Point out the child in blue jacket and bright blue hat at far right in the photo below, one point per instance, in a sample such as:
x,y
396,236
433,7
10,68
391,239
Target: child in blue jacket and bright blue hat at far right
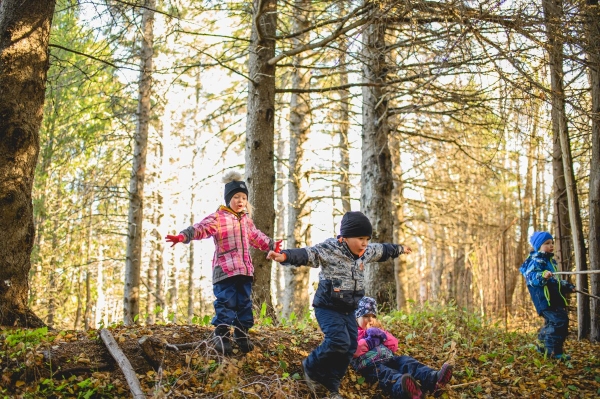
x,y
548,294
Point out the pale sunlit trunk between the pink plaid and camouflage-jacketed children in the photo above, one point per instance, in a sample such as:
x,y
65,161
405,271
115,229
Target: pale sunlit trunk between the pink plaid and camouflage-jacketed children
x,y
295,298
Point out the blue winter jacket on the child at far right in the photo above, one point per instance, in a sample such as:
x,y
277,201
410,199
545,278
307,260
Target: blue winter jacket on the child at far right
x,y
545,293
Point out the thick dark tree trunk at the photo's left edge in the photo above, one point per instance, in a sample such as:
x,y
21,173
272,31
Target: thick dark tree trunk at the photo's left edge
x,y
24,35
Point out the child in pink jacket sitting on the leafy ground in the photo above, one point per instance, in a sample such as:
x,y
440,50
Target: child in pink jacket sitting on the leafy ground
x,y
398,376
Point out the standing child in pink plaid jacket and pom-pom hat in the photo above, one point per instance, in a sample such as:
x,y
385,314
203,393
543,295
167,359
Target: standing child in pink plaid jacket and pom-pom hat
x,y
234,233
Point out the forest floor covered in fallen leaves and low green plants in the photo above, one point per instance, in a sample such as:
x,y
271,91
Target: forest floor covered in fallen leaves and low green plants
x,y
491,361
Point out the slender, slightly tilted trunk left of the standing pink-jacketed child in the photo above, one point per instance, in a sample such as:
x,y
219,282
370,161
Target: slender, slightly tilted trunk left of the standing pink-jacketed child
x,y
133,260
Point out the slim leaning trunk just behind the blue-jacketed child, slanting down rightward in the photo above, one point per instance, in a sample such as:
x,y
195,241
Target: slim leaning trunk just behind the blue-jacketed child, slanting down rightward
x,y
553,16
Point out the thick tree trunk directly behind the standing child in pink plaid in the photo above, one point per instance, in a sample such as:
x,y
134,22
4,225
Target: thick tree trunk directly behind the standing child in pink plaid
x,y
260,133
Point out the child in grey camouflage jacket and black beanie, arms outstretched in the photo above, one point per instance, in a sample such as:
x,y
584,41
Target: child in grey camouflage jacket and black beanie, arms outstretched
x,y
341,287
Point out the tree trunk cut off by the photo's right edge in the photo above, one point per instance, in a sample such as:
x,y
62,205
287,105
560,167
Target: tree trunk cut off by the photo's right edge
x,y
593,41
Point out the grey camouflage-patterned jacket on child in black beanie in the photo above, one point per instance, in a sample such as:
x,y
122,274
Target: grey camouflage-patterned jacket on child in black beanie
x,y
341,280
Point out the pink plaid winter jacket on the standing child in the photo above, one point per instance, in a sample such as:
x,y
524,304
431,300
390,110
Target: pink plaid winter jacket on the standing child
x,y
233,235
